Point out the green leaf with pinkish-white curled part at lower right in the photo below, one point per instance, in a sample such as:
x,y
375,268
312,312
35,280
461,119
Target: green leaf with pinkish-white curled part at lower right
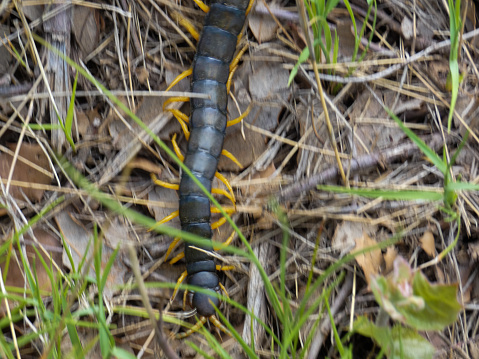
x,y
407,296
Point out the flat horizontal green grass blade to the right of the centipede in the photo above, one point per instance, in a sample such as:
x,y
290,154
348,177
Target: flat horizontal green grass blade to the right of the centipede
x,y
406,195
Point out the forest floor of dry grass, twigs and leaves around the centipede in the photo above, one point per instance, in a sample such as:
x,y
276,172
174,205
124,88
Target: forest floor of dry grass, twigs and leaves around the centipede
x,y
76,198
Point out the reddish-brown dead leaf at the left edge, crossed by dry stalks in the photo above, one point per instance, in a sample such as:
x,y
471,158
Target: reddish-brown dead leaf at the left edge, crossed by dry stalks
x,y
32,167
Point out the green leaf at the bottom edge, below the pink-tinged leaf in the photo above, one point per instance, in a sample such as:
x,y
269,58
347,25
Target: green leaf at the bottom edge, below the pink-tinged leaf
x,y
397,342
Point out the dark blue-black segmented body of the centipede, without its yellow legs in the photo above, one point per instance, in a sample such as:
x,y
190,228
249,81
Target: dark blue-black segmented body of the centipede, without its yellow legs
x,y
215,51
